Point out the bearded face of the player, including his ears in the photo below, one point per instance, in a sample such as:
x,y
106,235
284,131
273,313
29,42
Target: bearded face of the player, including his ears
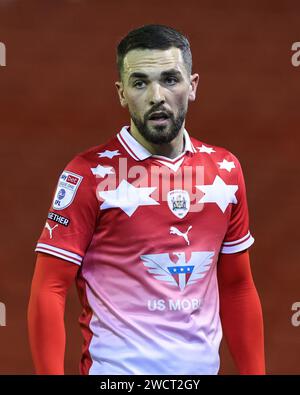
x,y
157,81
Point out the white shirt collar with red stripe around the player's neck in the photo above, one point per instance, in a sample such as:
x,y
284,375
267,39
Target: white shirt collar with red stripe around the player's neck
x,y
139,152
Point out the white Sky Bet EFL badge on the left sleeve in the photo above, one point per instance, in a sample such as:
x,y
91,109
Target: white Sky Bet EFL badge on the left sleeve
x,y
67,186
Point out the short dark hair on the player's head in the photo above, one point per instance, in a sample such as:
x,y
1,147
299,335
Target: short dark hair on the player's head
x,y
153,37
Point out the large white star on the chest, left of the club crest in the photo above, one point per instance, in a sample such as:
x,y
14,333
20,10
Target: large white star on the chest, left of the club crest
x,y
127,197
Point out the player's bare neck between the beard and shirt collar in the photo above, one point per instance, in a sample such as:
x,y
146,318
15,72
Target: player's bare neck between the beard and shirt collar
x,y
170,150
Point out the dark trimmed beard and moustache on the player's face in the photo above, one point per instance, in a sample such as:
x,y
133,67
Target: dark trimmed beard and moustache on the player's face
x,y
160,134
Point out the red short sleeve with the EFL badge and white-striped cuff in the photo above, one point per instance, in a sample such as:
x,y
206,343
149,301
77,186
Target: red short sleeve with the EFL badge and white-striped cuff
x,y
72,216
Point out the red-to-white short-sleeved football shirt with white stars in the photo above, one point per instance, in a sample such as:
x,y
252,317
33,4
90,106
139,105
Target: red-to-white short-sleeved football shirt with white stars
x,y
146,232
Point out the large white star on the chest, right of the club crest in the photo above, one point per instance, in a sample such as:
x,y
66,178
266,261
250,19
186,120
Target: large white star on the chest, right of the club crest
x,y
219,193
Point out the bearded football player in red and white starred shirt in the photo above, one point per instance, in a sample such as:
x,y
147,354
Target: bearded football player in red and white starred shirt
x,y
153,227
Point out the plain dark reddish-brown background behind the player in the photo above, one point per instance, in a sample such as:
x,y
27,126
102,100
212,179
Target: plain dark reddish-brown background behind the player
x,y
57,98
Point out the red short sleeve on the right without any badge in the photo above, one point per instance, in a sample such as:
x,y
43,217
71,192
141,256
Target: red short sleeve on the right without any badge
x,y
238,236
